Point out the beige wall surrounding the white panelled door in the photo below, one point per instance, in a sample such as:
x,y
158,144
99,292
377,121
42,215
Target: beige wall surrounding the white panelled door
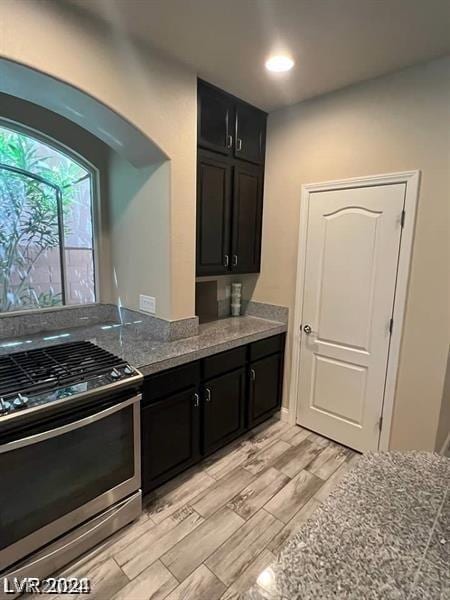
x,y
395,123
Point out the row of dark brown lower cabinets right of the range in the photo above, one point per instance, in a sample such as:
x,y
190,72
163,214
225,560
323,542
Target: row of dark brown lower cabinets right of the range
x,y
191,411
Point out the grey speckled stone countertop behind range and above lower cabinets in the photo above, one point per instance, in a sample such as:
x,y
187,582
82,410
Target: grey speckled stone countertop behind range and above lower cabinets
x,y
136,347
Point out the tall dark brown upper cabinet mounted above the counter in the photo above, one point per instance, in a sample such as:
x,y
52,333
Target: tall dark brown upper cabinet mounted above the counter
x,y
230,179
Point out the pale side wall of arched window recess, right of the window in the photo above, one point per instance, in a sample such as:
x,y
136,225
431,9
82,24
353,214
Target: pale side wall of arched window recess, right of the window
x,y
139,216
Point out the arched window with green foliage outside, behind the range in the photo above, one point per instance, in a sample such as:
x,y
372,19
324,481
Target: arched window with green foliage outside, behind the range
x,y
46,233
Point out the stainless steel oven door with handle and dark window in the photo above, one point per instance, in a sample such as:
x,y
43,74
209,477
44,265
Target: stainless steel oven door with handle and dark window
x,y
59,474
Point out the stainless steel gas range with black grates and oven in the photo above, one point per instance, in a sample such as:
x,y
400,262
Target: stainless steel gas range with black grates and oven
x,y
69,454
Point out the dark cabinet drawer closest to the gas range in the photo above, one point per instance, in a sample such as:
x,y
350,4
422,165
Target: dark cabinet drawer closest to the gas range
x,y
169,382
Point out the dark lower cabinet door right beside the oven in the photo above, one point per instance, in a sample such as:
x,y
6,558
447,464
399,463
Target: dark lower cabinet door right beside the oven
x,y
170,437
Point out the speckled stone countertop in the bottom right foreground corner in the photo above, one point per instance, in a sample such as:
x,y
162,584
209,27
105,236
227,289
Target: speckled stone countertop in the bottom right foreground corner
x,y
383,534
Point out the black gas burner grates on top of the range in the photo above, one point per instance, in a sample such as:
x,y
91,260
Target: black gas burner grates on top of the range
x,y
44,369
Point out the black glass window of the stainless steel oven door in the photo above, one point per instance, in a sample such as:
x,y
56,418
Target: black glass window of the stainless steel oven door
x,y
44,481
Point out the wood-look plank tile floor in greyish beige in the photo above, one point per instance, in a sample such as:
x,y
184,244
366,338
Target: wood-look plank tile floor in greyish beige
x,y
207,534
